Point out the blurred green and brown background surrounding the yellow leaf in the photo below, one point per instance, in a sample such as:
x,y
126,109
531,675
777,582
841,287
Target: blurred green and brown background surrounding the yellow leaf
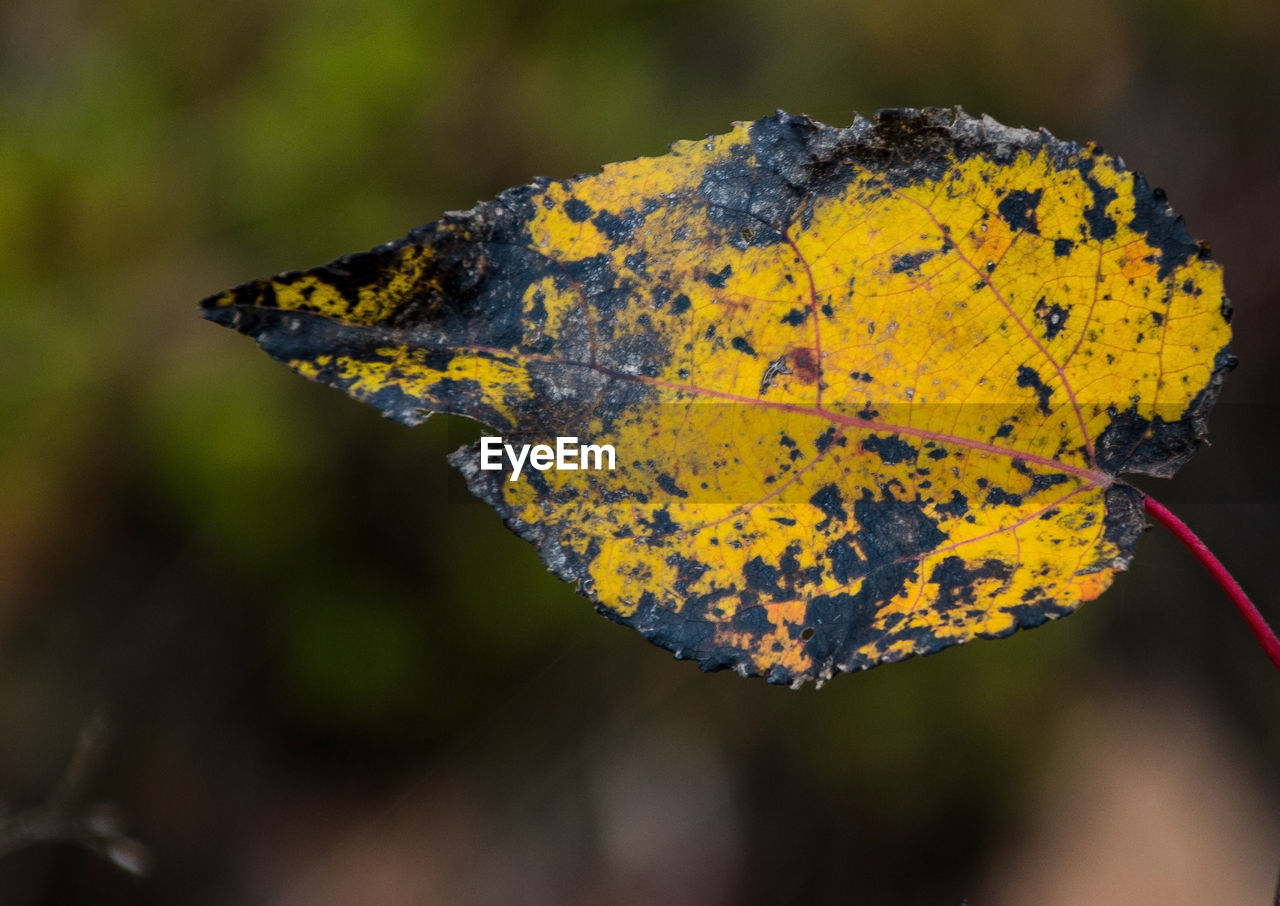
x,y
326,678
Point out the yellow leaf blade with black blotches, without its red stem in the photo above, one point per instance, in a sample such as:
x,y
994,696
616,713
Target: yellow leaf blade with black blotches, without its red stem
x,y
870,388
